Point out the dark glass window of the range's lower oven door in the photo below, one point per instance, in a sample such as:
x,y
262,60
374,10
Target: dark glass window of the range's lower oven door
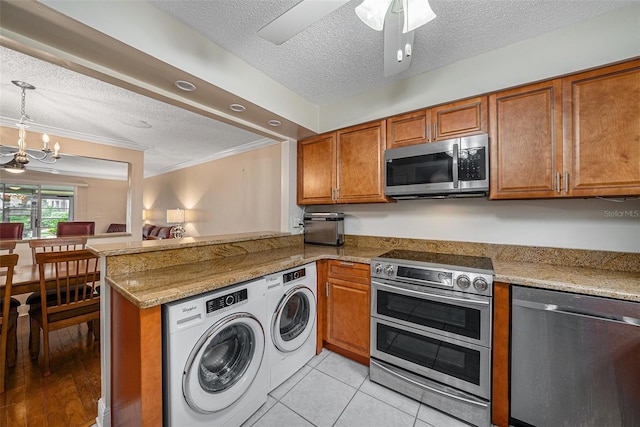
x,y
450,359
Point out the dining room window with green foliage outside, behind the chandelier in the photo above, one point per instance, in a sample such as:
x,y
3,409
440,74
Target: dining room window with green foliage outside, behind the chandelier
x,y
39,207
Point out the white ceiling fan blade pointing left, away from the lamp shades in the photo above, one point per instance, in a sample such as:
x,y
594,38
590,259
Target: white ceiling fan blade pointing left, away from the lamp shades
x,y
297,19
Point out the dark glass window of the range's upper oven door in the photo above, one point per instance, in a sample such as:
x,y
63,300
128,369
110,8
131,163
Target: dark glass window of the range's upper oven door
x,y
444,317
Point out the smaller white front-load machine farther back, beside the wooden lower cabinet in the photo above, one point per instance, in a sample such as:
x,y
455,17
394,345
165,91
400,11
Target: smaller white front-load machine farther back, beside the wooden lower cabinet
x,y
291,308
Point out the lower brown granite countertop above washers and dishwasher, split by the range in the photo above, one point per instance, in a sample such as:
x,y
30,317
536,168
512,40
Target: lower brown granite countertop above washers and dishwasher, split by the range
x,y
162,285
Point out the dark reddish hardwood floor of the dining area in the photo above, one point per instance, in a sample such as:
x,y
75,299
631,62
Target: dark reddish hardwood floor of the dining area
x,y
68,397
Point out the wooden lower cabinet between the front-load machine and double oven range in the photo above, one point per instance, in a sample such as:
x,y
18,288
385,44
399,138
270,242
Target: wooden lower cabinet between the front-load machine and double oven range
x,y
346,308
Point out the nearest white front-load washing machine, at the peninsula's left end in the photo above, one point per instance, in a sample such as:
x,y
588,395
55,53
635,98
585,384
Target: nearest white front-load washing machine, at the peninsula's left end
x,y
215,369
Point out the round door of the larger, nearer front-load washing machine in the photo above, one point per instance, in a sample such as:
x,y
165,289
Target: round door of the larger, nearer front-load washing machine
x,y
223,363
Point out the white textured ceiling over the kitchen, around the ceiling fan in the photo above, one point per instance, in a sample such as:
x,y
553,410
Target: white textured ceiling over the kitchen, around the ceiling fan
x,y
339,56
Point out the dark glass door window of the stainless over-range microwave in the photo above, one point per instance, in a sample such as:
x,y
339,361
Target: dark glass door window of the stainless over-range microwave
x,y
426,169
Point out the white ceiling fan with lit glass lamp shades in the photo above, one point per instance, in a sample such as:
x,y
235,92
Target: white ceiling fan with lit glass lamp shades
x,y
397,18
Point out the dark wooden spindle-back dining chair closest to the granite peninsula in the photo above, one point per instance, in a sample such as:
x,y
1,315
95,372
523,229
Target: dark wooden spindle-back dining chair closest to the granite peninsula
x,y
72,301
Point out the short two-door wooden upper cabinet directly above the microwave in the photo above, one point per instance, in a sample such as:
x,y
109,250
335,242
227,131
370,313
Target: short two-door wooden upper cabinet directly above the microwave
x,y
462,118
